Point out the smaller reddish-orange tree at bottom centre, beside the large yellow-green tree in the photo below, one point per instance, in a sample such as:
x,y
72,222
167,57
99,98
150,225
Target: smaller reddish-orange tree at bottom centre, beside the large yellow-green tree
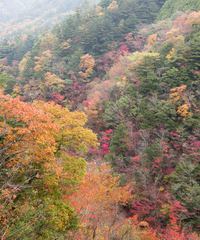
x,y
98,202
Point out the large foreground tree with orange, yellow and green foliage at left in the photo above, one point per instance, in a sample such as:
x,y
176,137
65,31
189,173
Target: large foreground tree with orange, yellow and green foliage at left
x,y
42,150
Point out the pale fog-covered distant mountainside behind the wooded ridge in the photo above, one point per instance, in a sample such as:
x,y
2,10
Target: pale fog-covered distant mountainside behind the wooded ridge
x,y
30,16
